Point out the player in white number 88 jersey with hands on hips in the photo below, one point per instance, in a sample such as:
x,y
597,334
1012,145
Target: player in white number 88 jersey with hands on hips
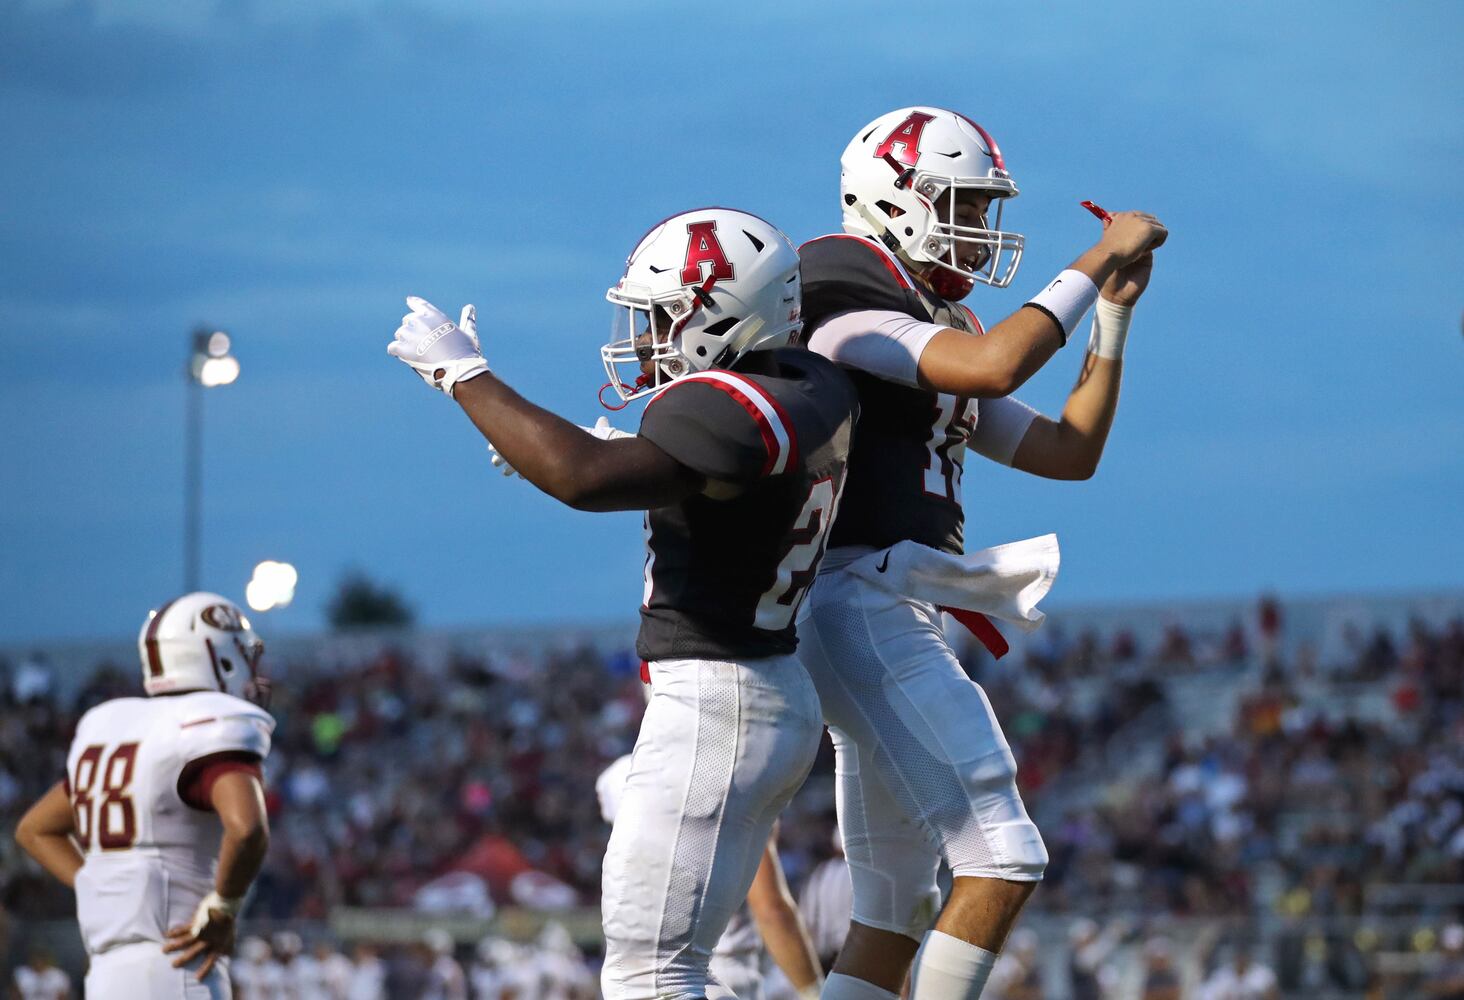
x,y
160,822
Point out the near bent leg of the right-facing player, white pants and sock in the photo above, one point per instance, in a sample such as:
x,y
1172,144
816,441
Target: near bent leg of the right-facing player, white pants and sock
x,y
930,736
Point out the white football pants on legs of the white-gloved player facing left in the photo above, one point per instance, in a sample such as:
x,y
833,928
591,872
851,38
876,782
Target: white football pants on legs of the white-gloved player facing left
x,y
722,750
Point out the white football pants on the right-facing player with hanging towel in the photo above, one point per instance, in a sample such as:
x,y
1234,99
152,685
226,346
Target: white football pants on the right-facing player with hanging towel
x,y
923,768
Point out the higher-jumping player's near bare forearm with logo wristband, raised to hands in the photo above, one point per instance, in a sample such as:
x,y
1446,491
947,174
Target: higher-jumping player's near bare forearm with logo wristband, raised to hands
x,y
1015,349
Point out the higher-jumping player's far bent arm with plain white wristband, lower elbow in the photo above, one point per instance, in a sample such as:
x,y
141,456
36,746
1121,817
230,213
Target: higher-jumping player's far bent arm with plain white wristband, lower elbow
x,y
1072,447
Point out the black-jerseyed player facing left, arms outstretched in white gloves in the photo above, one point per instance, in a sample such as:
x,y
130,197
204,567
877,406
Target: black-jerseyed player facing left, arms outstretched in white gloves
x,y
740,466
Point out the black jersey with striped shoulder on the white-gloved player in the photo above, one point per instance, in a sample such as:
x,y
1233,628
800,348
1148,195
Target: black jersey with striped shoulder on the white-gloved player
x,y
724,578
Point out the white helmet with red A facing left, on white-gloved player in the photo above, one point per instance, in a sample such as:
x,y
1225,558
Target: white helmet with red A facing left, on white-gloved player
x,y
701,291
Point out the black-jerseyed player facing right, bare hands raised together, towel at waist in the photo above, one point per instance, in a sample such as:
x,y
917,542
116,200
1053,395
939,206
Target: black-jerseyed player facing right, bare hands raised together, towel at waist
x,y
925,769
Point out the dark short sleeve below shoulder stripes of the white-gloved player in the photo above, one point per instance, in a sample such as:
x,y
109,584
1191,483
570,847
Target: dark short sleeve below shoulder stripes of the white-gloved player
x,y
708,430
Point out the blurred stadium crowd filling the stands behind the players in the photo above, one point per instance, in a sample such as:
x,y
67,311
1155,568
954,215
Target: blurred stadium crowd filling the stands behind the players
x,y
472,788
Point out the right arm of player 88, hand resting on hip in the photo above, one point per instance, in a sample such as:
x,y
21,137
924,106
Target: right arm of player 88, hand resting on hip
x,y
239,800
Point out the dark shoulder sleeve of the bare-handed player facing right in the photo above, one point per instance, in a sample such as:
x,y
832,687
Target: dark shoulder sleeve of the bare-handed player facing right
x,y
843,273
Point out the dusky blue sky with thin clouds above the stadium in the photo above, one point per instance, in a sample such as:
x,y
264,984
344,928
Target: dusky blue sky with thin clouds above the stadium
x,y
1293,411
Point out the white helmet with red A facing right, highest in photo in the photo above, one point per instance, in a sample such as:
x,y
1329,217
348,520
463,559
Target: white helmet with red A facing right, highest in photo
x,y
908,162
